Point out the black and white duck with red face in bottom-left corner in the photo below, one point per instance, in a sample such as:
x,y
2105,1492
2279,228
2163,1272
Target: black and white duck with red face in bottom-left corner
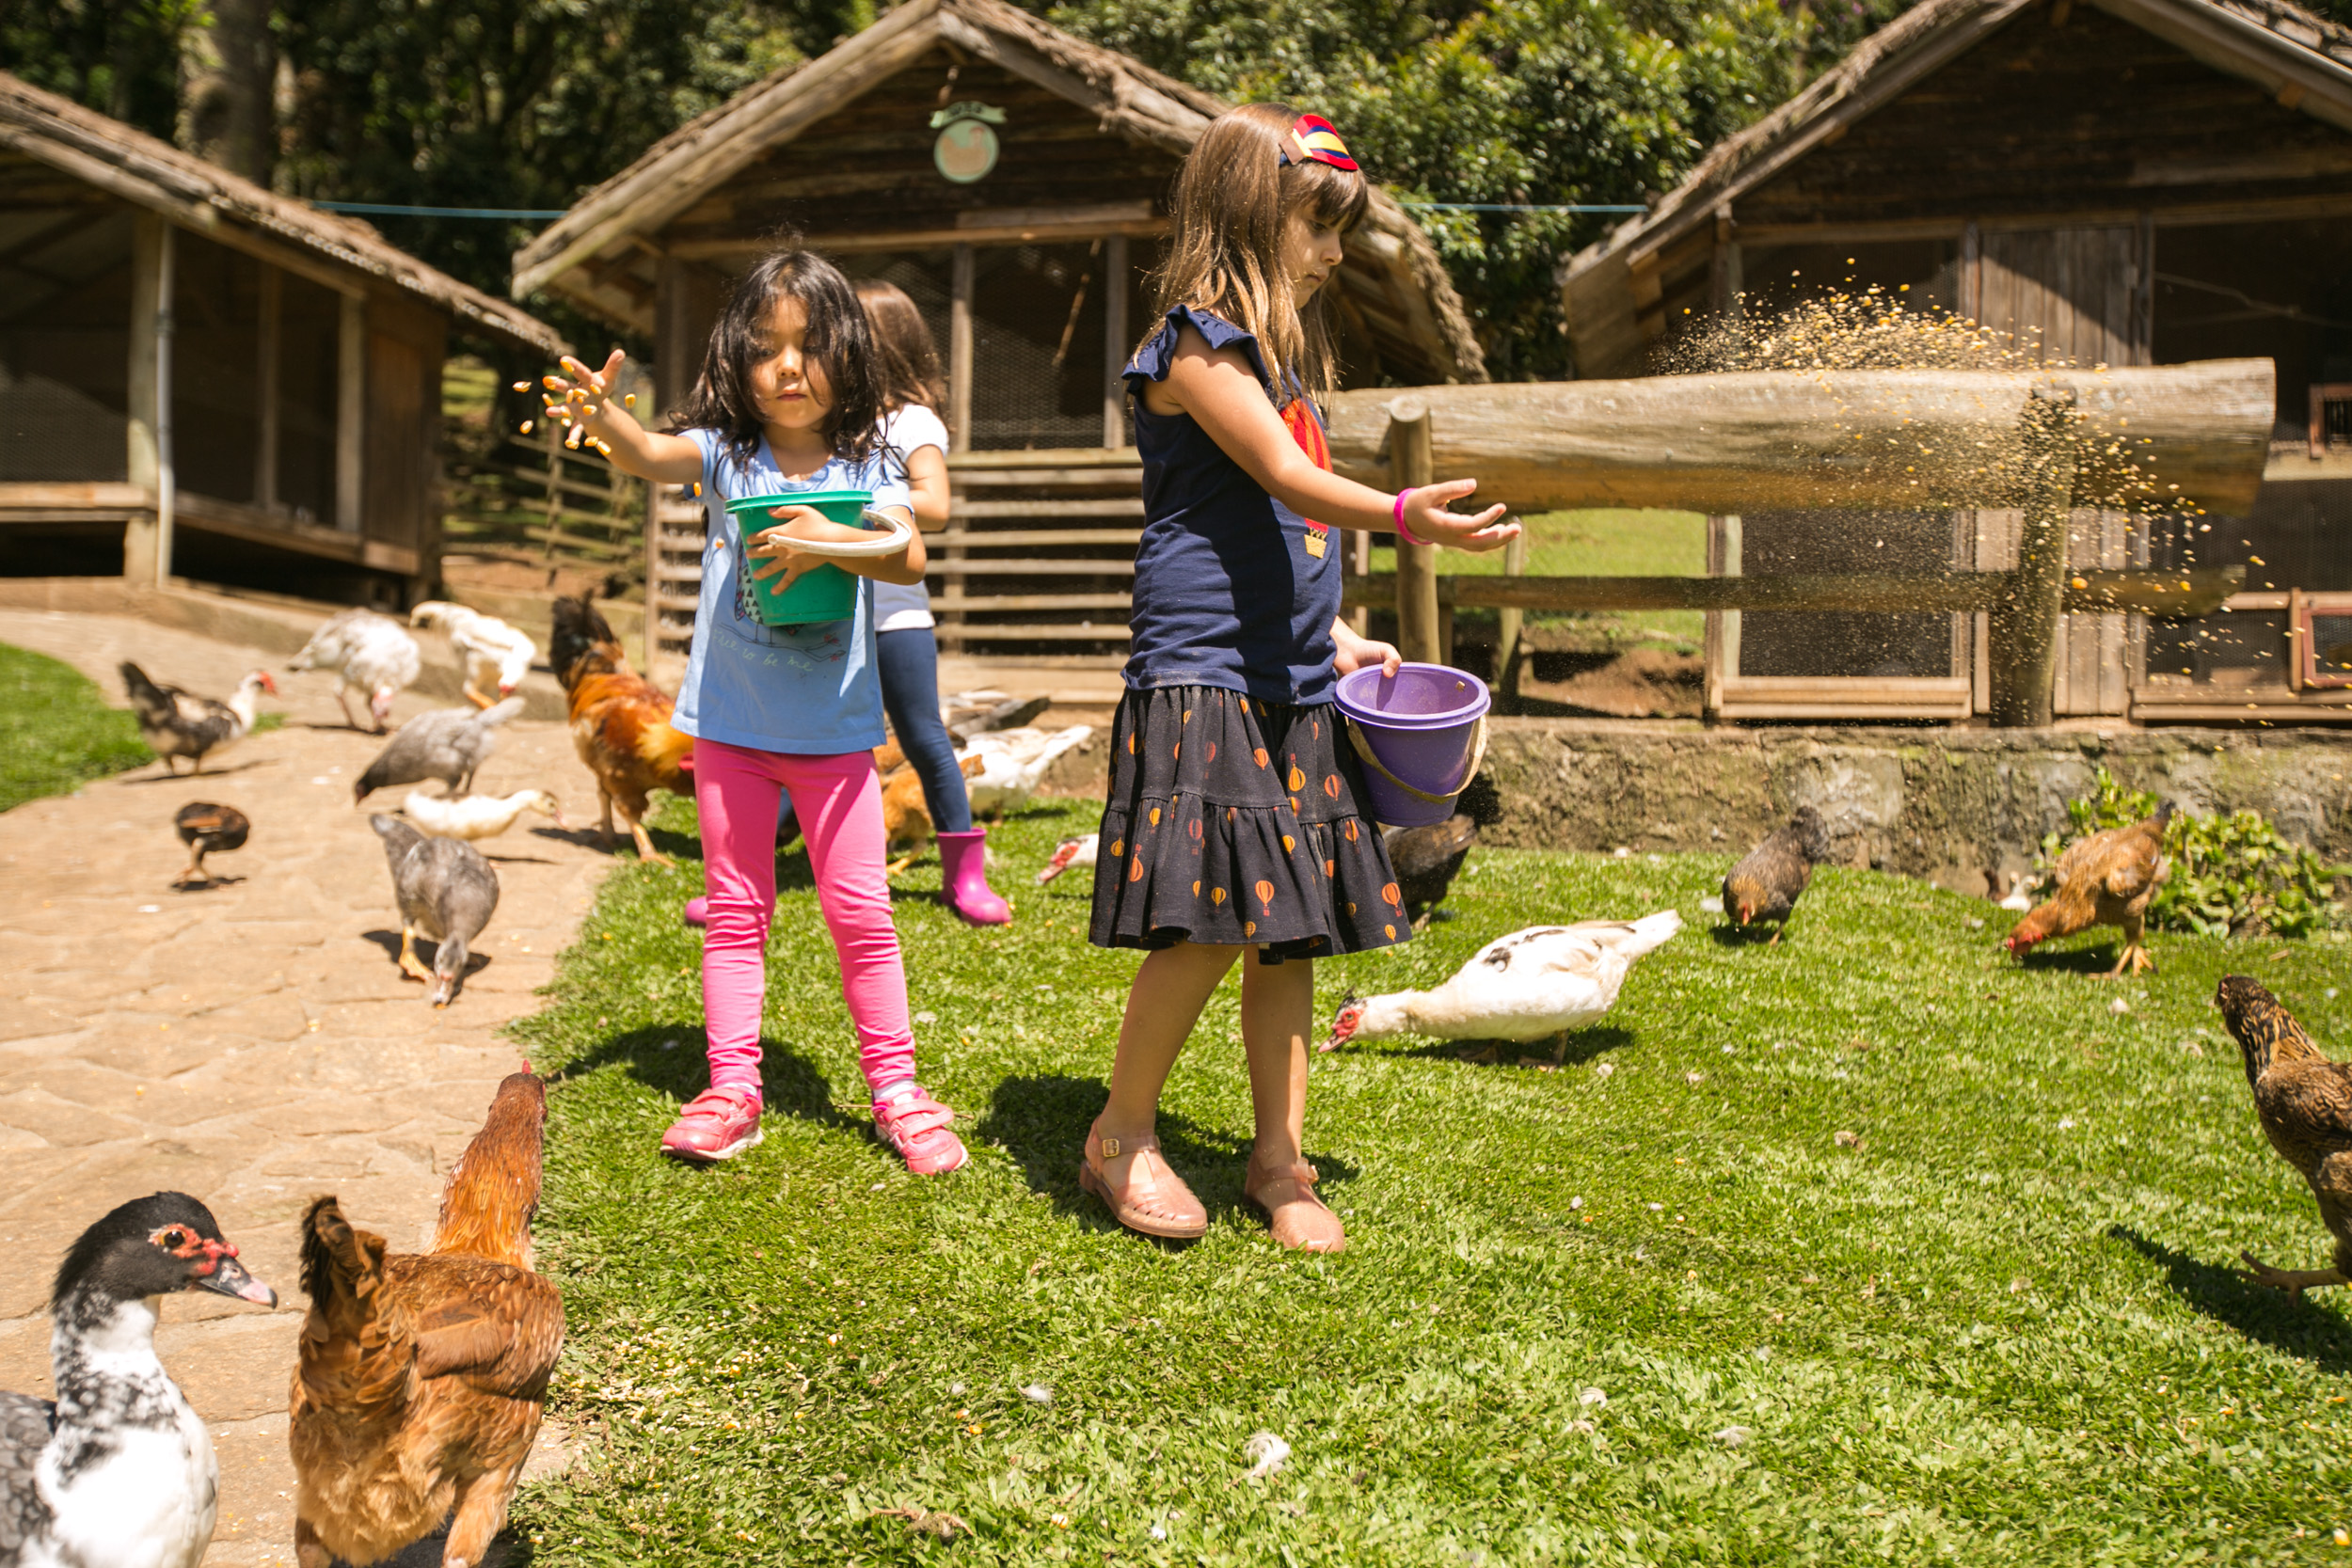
x,y
119,1473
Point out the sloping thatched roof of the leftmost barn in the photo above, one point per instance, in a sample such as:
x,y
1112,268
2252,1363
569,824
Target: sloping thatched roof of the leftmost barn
x,y
215,203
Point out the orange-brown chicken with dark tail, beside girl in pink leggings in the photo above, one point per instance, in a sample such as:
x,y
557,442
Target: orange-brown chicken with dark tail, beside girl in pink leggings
x,y
620,721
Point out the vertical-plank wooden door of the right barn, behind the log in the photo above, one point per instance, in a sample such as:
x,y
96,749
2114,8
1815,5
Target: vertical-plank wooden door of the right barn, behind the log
x,y
2069,297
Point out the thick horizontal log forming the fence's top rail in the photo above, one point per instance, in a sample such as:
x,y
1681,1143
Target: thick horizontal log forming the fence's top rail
x,y
1817,441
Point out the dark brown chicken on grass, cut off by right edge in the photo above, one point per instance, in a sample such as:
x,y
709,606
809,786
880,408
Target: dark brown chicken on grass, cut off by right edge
x,y
2306,1111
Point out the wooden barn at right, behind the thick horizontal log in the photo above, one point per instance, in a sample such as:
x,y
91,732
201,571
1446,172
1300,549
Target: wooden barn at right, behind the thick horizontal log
x,y
2111,182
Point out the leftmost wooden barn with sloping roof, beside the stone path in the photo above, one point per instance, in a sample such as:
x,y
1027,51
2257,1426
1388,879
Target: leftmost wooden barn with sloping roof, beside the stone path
x,y
208,380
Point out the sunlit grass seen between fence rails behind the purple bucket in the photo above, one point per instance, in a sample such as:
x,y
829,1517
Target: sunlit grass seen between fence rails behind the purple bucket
x,y
1601,544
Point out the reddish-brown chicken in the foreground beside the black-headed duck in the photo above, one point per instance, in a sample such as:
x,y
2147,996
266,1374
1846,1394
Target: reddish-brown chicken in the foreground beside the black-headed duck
x,y
422,1376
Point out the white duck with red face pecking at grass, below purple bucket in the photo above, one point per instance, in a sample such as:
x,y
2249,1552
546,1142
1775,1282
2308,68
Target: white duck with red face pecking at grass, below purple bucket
x,y
1525,986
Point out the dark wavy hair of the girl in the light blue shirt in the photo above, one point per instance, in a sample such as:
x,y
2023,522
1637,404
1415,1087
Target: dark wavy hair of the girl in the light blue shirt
x,y
836,342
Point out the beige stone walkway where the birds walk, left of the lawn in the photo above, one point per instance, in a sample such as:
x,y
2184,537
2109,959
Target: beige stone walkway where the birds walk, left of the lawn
x,y
253,1045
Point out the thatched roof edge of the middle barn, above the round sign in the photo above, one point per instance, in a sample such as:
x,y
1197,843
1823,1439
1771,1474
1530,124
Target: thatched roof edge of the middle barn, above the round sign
x,y
1394,272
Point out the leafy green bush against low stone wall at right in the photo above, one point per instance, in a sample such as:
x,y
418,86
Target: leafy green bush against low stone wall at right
x,y
2231,876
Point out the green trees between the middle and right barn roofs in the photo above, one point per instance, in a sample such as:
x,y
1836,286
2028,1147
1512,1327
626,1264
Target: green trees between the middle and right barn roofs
x,y
1546,102
